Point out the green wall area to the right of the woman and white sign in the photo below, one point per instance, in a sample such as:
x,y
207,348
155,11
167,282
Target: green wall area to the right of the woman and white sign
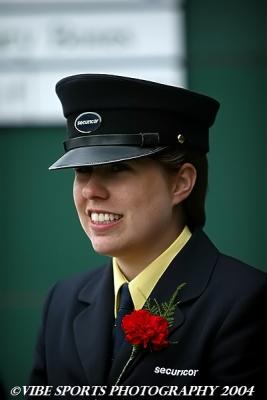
x,y
227,59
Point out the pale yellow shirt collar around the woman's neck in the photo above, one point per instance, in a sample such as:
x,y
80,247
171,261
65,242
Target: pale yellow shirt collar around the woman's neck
x,y
143,284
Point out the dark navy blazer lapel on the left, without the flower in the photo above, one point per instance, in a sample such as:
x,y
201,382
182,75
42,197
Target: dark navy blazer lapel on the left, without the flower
x,y
93,326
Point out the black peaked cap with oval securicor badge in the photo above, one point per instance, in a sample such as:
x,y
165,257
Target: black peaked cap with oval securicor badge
x,y
113,118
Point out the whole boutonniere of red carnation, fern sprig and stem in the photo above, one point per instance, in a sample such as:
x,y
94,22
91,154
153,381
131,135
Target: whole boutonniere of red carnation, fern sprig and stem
x,y
149,328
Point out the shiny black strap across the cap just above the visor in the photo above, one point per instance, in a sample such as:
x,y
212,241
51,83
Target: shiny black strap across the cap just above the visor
x,y
135,139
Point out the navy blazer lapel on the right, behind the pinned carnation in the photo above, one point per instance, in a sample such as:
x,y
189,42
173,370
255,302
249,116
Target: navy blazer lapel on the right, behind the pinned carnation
x,y
193,266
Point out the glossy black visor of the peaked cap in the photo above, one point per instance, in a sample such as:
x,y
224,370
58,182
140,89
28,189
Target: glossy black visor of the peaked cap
x,y
98,155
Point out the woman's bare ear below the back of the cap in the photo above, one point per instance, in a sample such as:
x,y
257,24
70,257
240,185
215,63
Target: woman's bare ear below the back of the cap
x,y
184,182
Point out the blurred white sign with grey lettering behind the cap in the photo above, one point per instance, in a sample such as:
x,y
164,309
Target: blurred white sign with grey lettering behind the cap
x,y
39,46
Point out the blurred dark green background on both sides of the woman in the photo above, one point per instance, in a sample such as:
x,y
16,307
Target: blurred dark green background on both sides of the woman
x,y
41,239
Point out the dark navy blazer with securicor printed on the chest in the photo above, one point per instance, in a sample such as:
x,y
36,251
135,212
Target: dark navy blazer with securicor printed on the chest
x,y
220,327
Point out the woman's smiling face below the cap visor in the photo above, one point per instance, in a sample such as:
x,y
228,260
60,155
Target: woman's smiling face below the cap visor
x,y
127,208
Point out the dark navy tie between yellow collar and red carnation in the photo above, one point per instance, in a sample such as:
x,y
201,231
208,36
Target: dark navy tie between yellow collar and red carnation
x,y
126,307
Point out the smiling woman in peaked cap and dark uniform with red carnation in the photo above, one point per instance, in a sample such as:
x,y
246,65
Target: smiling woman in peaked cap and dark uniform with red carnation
x,y
139,191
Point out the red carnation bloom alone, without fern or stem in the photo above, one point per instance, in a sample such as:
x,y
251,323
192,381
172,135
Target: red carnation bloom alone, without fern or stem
x,y
143,328
